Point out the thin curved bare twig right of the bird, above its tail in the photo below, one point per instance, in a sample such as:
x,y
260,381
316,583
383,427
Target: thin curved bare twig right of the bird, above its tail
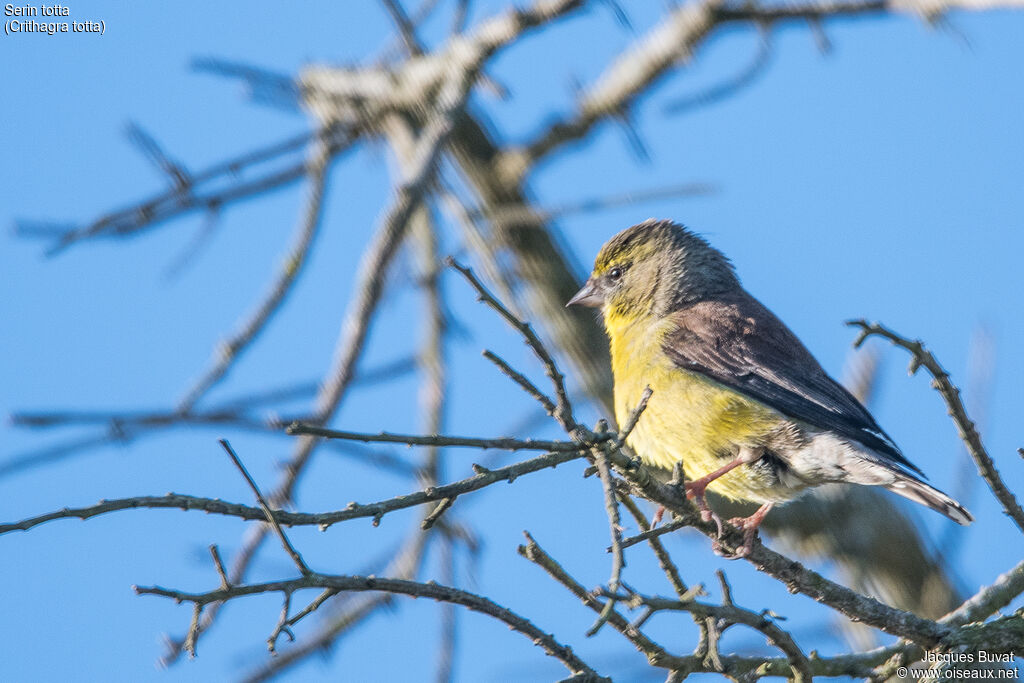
x,y
951,395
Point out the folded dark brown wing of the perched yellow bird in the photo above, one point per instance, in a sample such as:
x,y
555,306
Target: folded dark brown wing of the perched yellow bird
x,y
736,341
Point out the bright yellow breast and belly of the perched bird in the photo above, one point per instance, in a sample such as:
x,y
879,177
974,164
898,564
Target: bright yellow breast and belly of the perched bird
x,y
690,417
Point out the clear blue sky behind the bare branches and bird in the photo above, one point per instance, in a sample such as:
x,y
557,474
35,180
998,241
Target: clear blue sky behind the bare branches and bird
x,y
880,181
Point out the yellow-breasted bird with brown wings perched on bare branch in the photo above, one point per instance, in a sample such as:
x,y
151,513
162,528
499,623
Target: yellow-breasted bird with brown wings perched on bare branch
x,y
736,398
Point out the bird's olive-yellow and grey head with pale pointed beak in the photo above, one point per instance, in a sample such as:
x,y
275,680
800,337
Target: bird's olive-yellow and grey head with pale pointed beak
x,y
654,269
